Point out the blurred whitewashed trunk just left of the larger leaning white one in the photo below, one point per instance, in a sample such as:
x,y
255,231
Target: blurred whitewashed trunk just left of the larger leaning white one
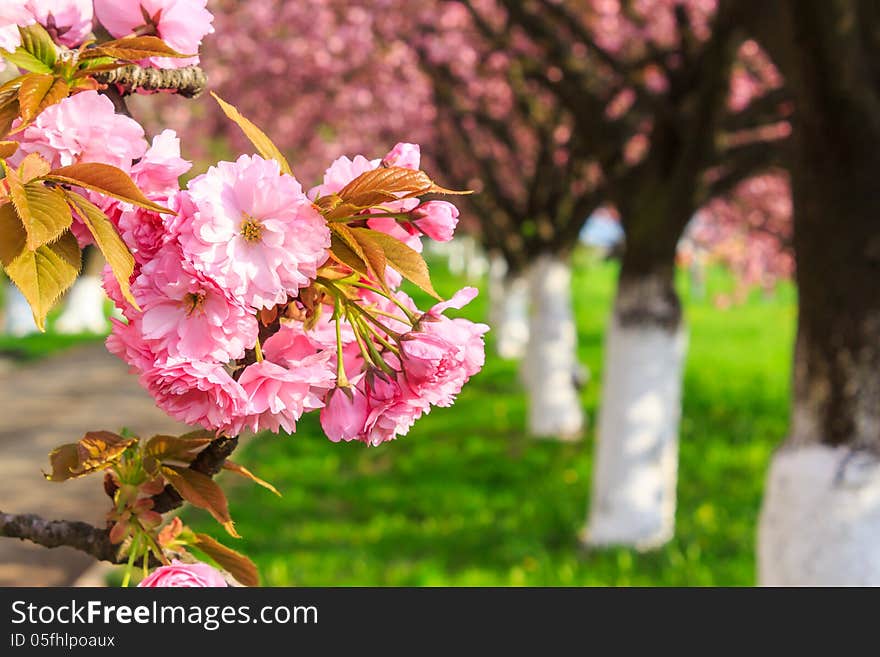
x,y
554,404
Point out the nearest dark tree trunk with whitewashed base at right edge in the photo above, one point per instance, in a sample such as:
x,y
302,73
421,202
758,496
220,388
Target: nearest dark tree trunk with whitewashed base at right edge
x,y
820,521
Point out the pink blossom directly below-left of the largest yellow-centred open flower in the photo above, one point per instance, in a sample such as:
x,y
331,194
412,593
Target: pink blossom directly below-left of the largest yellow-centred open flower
x,y
187,315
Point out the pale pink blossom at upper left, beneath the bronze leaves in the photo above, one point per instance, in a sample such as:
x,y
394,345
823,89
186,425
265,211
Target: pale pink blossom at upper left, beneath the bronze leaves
x,y
84,128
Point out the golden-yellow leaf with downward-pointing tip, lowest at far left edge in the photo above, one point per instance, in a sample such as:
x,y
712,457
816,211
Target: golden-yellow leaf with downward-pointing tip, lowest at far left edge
x,y
41,275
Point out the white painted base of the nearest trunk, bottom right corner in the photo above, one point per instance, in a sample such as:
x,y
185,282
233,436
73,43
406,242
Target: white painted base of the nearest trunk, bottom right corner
x,y
820,520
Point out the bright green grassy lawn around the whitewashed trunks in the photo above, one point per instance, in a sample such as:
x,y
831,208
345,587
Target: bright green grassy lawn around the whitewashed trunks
x,y
467,499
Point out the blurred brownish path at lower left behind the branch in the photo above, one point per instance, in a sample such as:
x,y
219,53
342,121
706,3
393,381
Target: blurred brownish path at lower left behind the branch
x,y
43,405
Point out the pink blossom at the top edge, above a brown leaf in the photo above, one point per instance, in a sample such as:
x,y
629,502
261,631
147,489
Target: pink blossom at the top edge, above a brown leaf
x,y
182,24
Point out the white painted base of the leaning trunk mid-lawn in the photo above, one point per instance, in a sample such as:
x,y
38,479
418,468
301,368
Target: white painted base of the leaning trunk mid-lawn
x,y
636,464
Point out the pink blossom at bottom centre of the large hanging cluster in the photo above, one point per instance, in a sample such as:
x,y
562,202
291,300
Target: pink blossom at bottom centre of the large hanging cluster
x,y
278,396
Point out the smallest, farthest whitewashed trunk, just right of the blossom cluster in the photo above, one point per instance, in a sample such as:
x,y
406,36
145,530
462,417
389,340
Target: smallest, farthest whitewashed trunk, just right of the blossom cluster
x,y
509,309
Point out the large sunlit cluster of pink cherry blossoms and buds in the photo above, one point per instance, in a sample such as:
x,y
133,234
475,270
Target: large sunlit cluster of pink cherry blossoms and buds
x,y
225,287
